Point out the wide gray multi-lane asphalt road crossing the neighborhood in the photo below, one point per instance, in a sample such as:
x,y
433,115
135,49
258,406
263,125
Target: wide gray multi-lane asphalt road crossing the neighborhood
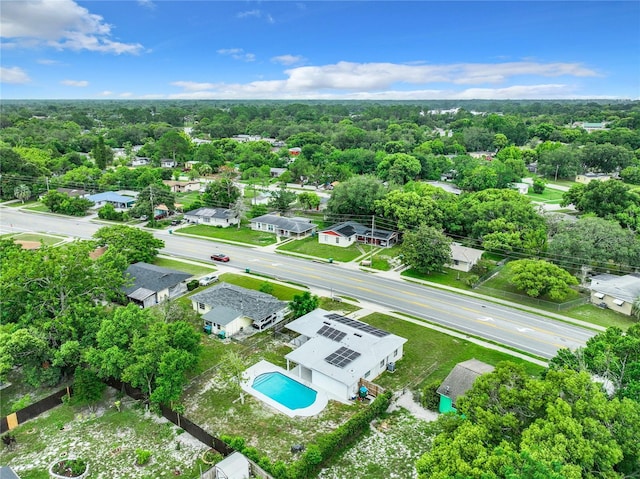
x,y
507,326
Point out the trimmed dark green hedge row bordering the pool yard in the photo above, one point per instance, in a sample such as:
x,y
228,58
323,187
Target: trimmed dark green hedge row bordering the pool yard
x,y
319,454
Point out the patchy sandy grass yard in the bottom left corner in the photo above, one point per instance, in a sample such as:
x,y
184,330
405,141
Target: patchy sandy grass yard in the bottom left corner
x,y
107,439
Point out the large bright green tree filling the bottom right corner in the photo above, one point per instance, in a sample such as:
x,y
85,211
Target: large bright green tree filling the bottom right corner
x,y
511,425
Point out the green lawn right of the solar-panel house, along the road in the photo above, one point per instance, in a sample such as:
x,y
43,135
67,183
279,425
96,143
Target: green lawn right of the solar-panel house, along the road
x,y
430,355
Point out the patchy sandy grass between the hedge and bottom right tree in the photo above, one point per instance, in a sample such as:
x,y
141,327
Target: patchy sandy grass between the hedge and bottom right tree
x,y
389,449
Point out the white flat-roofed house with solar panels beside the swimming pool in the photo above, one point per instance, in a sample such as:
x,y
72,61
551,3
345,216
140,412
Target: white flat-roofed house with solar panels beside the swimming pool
x,y
334,352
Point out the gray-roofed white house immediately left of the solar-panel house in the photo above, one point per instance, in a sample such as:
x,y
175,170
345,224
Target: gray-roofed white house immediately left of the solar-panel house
x,y
230,309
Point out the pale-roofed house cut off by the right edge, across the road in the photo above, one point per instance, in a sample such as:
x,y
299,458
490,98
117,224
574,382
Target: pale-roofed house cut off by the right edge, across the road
x,y
615,292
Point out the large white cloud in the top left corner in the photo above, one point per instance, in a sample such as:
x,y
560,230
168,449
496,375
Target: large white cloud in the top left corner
x,y
60,24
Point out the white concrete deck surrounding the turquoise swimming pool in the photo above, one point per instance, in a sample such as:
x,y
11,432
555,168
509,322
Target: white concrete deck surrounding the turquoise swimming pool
x,y
263,367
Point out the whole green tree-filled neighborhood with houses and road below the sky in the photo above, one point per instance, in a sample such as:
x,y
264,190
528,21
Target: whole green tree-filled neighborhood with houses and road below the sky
x,y
289,290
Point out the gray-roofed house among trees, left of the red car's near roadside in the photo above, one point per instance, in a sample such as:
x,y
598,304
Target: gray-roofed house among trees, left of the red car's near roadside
x,y
153,284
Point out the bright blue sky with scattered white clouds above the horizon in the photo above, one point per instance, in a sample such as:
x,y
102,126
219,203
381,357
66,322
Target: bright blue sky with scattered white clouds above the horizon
x,y
379,50
